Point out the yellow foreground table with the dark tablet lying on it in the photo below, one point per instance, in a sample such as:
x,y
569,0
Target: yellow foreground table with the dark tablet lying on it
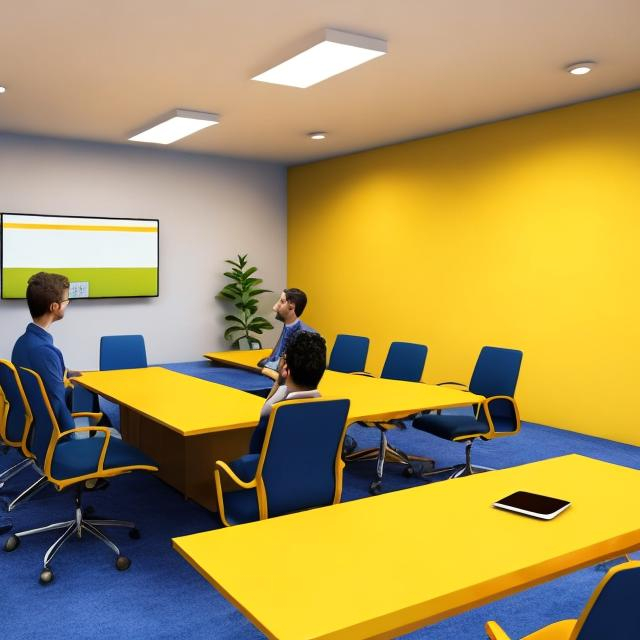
x,y
453,551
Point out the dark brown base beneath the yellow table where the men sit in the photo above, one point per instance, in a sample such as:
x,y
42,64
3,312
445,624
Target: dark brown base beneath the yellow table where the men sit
x,y
185,463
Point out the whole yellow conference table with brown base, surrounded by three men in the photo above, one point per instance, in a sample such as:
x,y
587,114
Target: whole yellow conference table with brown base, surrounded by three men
x,y
185,424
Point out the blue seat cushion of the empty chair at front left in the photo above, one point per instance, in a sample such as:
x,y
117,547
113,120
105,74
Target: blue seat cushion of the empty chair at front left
x,y
74,458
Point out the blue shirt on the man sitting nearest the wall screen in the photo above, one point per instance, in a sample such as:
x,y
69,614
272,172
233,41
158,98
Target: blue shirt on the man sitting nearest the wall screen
x,y
35,350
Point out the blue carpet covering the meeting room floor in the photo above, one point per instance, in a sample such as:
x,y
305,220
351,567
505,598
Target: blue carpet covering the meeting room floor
x,y
161,596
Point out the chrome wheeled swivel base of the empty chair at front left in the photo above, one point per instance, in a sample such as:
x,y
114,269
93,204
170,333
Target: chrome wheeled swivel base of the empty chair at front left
x,y
76,528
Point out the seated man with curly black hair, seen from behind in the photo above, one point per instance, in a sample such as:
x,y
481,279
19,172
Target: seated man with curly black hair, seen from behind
x,y
303,365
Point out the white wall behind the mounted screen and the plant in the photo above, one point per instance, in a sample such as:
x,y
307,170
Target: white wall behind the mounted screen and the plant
x,y
209,209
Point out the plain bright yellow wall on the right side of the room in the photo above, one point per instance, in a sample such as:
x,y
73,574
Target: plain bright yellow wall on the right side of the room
x,y
523,233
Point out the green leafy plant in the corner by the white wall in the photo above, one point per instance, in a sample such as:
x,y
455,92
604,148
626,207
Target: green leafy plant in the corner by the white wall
x,y
243,292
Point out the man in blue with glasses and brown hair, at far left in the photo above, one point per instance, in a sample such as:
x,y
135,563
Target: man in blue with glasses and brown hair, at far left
x,y
48,299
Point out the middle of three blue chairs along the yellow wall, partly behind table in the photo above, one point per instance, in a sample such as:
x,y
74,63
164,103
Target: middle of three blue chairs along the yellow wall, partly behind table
x,y
405,361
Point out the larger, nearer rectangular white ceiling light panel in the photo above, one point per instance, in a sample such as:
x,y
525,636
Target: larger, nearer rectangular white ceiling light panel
x,y
338,51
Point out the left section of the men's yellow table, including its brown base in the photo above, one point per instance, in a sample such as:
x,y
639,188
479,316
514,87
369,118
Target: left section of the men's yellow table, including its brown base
x,y
185,424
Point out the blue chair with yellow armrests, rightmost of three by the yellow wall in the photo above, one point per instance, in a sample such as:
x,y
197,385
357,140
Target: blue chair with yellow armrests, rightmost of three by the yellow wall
x,y
495,377
